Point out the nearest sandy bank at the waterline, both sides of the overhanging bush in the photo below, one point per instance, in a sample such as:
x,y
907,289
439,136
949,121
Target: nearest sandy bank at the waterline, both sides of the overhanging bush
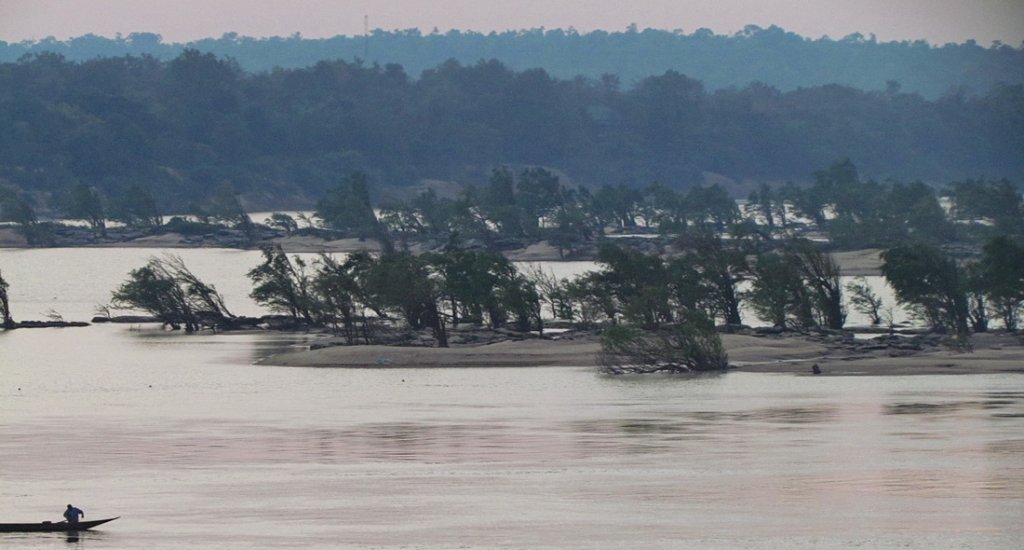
x,y
997,353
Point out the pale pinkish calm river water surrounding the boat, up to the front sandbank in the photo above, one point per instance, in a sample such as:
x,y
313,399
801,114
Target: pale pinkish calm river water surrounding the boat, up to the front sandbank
x,y
197,443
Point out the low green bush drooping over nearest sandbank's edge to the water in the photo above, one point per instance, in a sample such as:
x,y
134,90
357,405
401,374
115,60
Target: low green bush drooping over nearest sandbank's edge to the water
x,y
691,347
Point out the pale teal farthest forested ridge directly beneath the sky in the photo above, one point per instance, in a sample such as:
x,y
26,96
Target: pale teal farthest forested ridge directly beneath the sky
x,y
773,56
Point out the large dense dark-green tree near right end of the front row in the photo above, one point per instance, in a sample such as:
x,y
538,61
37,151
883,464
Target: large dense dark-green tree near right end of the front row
x,y
929,280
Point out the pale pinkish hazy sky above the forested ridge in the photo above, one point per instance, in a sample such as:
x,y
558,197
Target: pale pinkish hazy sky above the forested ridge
x,y
180,21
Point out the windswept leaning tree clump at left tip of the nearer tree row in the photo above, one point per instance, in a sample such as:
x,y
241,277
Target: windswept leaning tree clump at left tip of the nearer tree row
x,y
166,289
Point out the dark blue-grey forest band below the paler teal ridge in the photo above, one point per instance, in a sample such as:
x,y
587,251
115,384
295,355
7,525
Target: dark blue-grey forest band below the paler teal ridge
x,y
184,128
